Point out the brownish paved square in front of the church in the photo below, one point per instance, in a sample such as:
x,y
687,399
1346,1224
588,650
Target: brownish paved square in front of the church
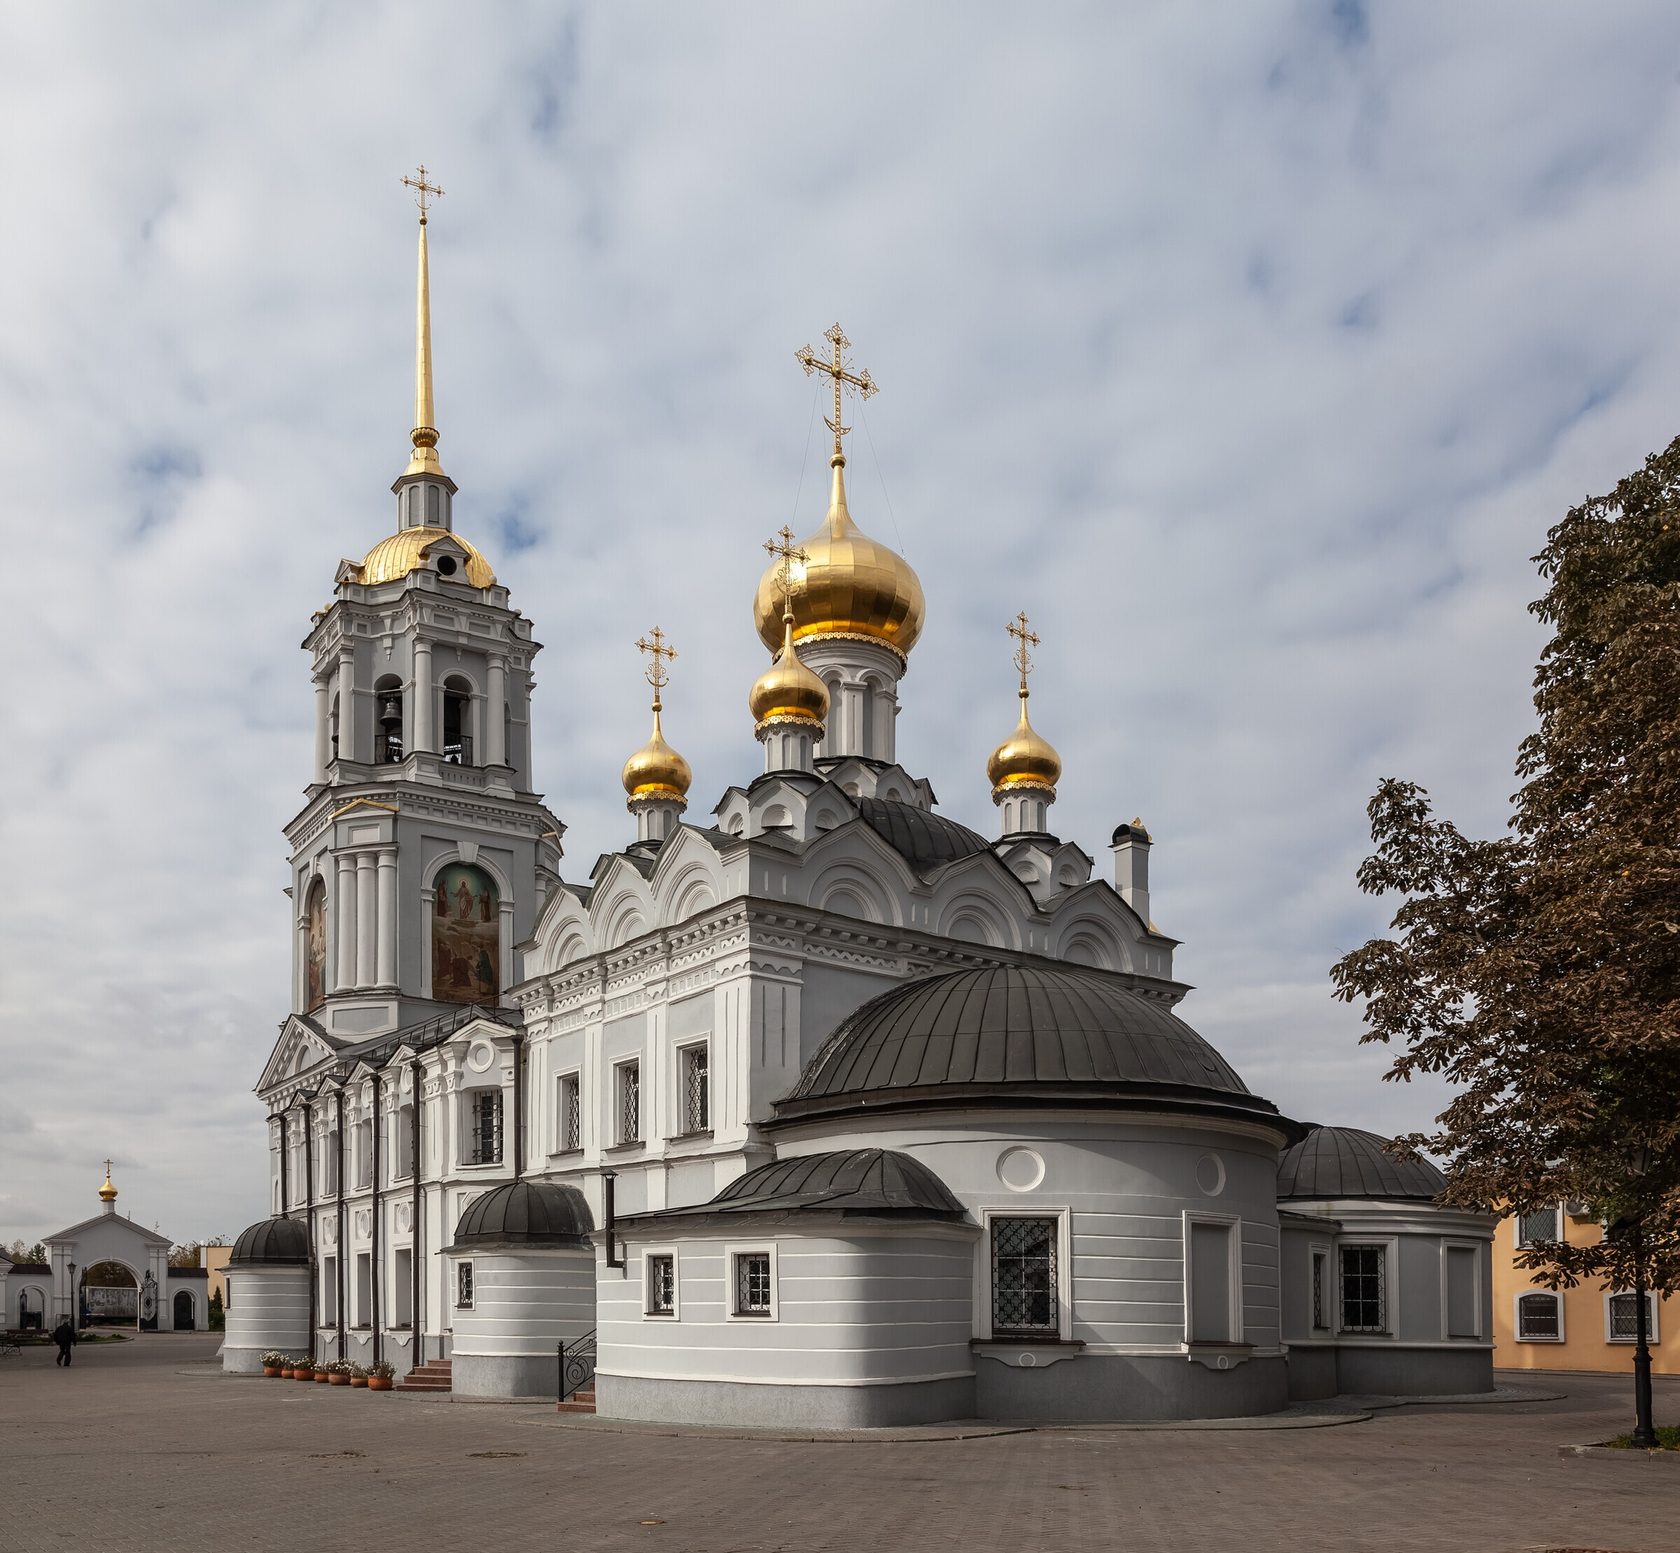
x,y
145,1446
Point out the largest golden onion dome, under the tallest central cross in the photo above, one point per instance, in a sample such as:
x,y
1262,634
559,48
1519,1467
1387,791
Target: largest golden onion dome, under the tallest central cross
x,y
848,587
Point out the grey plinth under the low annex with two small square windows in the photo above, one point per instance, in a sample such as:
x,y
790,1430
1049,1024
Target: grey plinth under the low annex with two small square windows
x,y
780,1408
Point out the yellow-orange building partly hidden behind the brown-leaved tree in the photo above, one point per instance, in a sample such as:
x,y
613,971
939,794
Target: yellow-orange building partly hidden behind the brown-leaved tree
x,y
1583,1329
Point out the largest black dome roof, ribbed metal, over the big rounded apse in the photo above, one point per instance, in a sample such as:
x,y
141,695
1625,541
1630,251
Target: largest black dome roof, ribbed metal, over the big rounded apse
x,y
1016,1033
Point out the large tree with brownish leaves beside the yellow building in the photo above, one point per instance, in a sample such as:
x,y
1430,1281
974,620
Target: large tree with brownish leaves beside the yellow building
x,y
1540,972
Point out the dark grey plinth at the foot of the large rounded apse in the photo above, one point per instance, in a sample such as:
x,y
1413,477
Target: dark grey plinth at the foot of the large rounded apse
x,y
1128,1389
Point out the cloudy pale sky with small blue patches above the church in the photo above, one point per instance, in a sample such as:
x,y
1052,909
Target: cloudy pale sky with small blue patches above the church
x,y
1251,350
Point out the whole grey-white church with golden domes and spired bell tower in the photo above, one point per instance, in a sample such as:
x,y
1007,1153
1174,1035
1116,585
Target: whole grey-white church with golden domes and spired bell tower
x,y
821,1110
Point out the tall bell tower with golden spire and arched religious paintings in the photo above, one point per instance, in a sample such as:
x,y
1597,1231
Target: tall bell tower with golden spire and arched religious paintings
x,y
423,855
